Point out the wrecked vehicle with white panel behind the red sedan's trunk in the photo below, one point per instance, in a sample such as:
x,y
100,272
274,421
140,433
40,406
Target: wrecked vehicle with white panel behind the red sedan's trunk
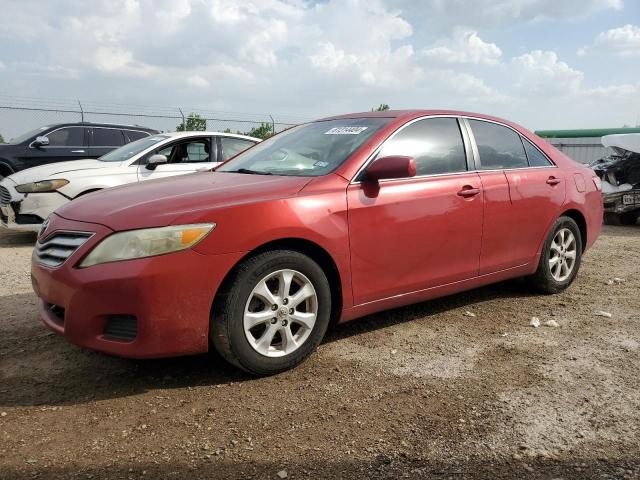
x,y
620,176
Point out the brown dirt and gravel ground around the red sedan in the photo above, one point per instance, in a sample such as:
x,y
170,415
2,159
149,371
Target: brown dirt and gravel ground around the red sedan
x,y
423,391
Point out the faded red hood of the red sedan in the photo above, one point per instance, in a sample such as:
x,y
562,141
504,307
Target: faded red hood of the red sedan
x,y
157,203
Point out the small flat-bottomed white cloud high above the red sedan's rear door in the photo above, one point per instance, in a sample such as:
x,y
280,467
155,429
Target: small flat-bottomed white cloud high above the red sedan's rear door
x,y
465,46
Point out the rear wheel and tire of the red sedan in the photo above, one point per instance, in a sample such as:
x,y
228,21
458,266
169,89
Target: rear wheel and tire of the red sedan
x,y
551,277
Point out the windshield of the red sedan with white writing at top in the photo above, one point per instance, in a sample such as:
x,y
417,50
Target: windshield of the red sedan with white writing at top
x,y
308,150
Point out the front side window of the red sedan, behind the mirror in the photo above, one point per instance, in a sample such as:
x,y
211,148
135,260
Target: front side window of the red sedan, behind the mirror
x,y
435,143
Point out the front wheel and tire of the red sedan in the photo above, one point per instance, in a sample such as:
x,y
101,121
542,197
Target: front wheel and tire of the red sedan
x,y
243,298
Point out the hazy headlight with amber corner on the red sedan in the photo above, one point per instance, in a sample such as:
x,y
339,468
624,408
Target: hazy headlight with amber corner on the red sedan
x,y
147,242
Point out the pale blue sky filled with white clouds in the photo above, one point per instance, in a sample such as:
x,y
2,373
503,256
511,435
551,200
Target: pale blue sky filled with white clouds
x,y
542,63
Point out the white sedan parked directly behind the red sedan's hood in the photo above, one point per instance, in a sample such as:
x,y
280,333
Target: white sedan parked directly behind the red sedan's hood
x,y
30,196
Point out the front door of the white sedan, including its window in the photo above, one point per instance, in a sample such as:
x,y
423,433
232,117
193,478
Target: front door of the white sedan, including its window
x,y
183,156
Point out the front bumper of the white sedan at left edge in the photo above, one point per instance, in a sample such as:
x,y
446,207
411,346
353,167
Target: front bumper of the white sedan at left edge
x,y
26,212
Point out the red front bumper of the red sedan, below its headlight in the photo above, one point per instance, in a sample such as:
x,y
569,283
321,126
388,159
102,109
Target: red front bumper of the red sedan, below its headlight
x,y
169,297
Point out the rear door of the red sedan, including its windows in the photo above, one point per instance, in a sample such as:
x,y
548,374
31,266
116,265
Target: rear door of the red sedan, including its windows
x,y
523,195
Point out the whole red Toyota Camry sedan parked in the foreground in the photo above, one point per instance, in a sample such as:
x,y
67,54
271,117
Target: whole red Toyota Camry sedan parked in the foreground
x,y
330,220
